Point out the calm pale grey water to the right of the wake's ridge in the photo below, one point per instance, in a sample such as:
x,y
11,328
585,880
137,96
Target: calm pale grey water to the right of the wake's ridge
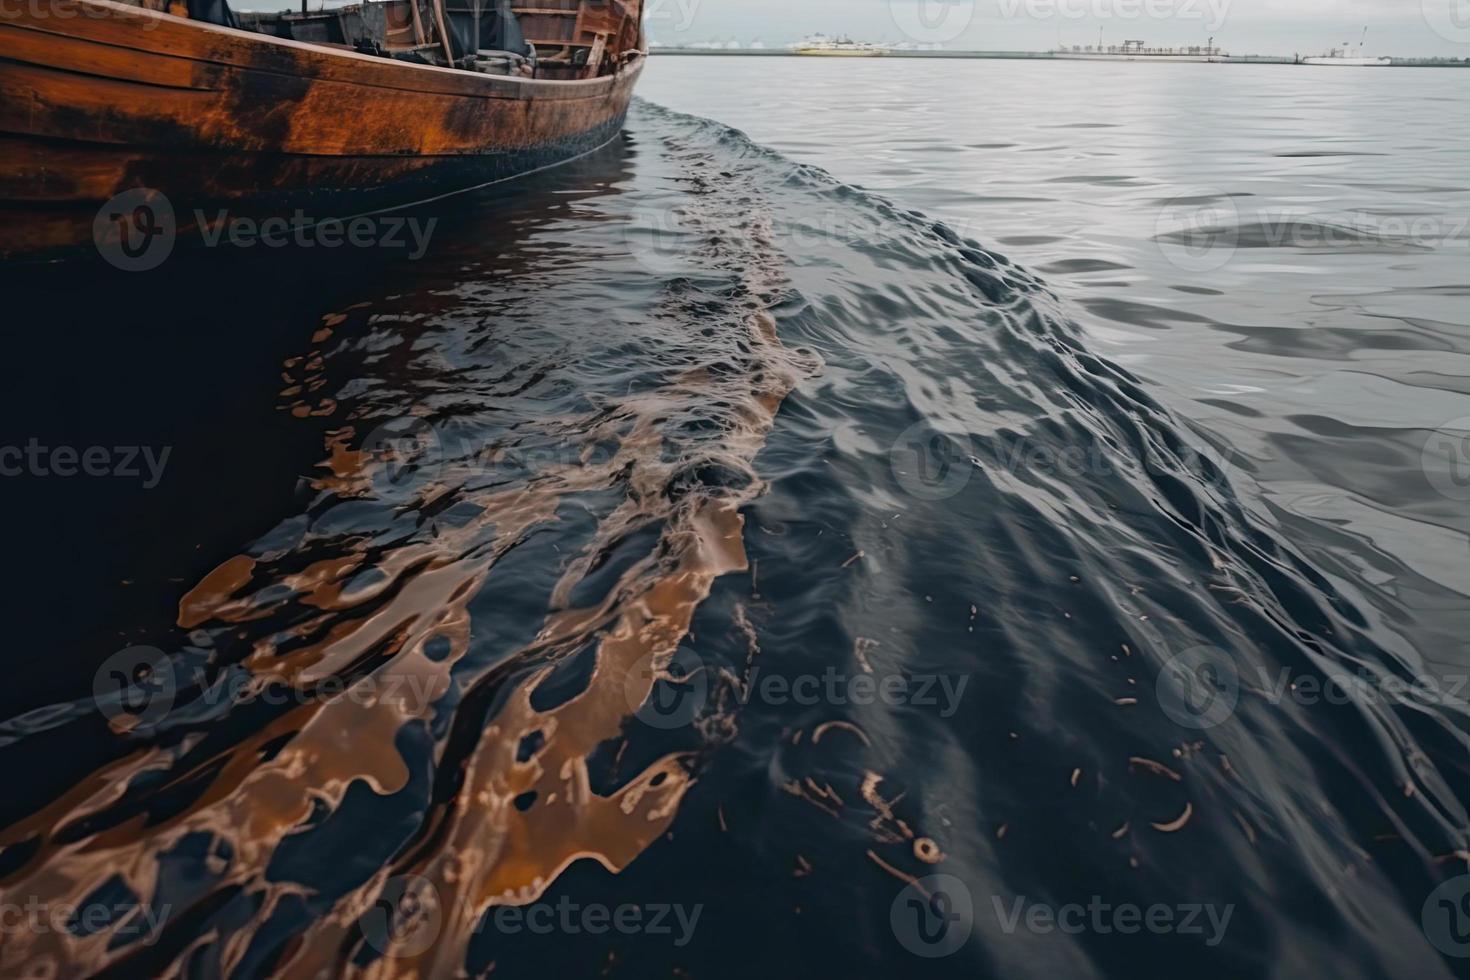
x,y
1281,252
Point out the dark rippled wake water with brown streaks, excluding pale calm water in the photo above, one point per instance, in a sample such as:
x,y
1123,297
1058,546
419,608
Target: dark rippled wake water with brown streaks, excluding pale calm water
x,y
693,533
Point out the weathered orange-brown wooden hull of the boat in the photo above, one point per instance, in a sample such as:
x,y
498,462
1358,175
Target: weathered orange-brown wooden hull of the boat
x,y
98,99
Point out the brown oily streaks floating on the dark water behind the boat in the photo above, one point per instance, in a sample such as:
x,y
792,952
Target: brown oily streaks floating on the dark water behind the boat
x,y
480,849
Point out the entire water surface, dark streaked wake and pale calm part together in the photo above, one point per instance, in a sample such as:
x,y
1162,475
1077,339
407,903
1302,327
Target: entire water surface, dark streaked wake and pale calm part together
x,y
698,543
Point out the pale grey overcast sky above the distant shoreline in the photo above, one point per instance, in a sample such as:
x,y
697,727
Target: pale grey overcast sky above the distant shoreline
x,y
1241,27
